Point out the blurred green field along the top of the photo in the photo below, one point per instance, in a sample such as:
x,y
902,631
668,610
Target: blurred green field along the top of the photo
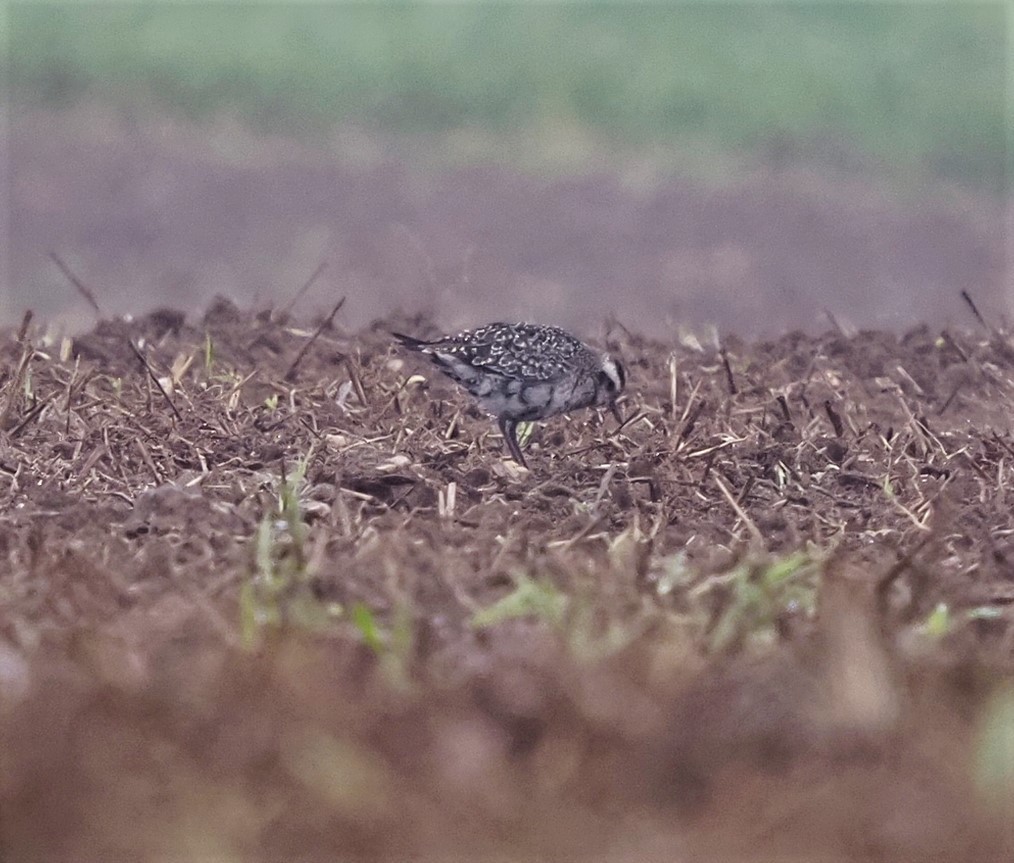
x,y
918,88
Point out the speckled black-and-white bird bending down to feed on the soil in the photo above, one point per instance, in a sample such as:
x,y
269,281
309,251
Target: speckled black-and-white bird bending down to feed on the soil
x,y
521,373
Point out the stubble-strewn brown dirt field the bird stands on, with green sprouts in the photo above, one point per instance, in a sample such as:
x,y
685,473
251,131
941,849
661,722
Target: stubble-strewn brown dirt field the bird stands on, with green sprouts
x,y
263,603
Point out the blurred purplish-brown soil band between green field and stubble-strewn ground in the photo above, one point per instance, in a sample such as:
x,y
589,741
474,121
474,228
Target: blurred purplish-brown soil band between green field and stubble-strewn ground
x,y
152,213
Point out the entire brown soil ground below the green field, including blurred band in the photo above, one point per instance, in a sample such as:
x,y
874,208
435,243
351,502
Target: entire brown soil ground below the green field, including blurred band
x,y
191,670
